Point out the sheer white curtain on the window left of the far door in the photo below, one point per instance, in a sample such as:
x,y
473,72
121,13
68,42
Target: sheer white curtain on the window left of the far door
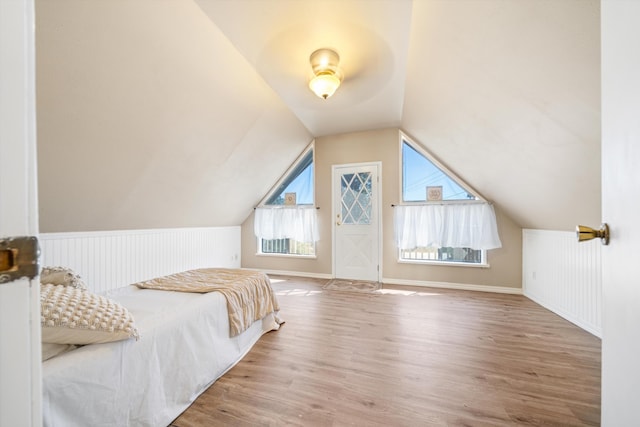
x,y
297,223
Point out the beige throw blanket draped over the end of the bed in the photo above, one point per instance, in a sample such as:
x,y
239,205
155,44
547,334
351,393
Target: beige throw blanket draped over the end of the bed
x,y
249,294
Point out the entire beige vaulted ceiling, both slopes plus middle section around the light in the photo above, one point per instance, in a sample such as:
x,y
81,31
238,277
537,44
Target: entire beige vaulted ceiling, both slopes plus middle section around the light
x,y
184,113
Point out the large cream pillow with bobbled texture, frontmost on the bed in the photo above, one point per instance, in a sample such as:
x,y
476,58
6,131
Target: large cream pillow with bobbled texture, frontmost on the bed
x,y
76,316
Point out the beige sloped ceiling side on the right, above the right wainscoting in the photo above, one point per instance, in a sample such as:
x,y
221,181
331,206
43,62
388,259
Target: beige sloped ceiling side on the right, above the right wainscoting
x,y
507,94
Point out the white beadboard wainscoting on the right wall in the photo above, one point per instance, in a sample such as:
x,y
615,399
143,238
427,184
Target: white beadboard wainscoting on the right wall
x,y
564,276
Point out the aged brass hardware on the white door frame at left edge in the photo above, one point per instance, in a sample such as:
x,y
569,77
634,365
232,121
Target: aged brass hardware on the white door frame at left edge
x,y
18,258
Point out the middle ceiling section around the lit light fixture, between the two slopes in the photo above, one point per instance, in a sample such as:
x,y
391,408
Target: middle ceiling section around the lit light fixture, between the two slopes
x,y
372,38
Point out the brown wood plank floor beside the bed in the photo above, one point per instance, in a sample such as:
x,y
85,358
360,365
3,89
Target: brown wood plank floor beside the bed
x,y
408,357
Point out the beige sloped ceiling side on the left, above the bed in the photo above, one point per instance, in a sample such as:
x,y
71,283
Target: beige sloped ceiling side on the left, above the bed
x,y
148,117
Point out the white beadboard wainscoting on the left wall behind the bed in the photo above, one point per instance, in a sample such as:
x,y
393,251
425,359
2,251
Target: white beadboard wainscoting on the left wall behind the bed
x,y
111,259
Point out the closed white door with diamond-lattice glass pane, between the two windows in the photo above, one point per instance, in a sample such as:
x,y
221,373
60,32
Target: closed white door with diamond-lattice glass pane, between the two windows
x,y
356,221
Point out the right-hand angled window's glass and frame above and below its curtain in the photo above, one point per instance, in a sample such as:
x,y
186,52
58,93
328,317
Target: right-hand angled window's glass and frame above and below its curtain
x,y
421,175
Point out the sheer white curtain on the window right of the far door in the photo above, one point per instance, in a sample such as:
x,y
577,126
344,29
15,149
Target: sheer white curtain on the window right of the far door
x,y
469,225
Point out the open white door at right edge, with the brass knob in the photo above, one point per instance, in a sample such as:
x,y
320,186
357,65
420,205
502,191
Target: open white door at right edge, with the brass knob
x,y
620,31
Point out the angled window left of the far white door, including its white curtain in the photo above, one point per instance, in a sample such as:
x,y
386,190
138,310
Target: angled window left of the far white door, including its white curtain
x,y
299,182
